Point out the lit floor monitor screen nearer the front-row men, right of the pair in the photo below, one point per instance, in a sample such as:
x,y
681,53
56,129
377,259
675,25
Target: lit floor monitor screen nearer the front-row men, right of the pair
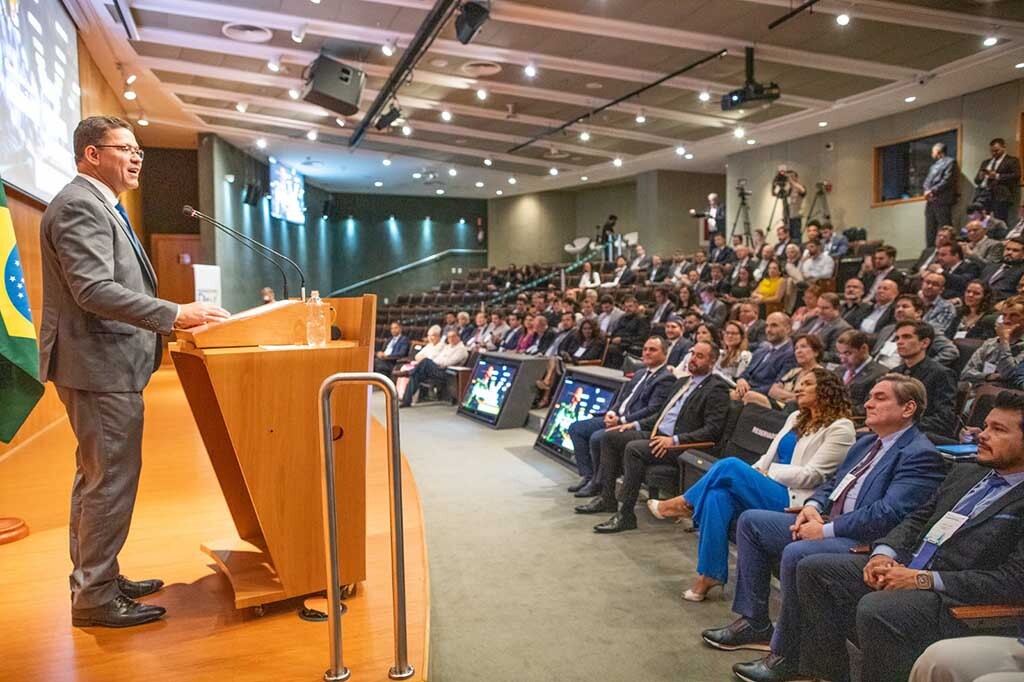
x,y
580,397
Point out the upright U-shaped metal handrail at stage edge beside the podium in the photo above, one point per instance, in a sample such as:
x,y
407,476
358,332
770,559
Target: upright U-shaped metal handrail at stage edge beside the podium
x,y
402,669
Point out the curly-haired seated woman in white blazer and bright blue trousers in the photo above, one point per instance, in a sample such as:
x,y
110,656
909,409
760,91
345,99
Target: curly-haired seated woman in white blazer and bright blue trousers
x,y
808,449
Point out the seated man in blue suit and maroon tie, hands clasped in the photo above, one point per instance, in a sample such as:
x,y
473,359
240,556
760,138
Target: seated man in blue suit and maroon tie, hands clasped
x,y
888,474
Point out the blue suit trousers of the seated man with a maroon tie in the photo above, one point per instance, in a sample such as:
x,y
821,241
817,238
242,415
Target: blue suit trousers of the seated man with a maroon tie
x,y
764,541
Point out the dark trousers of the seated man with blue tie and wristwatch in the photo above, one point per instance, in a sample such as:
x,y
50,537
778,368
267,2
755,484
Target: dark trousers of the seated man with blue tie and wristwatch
x,y
891,628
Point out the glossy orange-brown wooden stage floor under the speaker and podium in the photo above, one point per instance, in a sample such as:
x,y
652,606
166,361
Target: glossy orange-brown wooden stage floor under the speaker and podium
x,y
203,637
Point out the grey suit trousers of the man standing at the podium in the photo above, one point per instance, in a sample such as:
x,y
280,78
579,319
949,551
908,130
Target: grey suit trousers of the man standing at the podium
x,y
108,462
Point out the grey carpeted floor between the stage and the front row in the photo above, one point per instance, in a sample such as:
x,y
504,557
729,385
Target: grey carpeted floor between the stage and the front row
x,y
523,589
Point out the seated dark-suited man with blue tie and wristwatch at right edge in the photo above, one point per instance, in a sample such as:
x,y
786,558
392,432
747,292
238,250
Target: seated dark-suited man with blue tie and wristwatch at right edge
x,y
964,546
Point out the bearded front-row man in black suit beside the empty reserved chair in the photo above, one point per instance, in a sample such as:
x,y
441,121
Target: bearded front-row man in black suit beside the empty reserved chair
x,y
695,413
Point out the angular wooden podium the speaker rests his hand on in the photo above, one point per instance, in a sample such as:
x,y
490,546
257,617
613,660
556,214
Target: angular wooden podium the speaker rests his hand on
x,y
253,387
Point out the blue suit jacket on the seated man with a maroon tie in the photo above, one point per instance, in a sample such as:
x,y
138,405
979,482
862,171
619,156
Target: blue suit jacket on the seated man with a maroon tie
x,y
906,479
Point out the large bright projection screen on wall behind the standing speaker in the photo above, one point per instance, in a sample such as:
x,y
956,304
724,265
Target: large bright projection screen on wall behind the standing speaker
x,y
40,96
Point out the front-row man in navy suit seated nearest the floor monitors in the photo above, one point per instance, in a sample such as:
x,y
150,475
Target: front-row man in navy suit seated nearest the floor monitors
x,y
643,397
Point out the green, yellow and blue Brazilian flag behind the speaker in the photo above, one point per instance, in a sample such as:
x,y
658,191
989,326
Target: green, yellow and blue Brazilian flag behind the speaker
x,y
20,388
